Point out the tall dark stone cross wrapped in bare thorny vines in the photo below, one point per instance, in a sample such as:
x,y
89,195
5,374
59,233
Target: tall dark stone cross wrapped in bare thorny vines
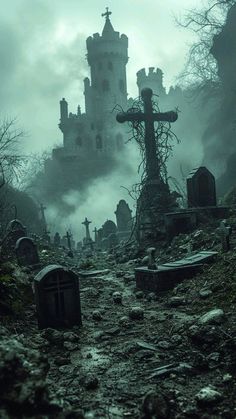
x,y
149,117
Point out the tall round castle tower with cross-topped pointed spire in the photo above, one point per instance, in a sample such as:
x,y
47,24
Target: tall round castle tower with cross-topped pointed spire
x,y
107,57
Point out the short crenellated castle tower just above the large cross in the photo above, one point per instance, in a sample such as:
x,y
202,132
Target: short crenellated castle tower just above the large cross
x,y
153,80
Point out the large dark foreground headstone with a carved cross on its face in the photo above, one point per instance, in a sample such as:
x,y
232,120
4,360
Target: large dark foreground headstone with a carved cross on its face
x,y
57,297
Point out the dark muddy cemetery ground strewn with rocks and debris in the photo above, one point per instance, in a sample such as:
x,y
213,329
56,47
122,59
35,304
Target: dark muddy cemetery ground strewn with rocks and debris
x,y
137,355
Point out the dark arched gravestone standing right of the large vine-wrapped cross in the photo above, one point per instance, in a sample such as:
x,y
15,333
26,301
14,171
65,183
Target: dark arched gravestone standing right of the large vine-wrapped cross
x,y
201,189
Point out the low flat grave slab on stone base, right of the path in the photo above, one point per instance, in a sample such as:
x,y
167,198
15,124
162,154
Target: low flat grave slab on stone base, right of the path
x,y
168,275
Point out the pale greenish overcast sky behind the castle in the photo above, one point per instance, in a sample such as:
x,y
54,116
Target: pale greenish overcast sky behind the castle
x,y
42,49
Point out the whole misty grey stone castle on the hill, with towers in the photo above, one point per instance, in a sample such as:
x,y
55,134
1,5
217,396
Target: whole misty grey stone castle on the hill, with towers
x,y
93,141
